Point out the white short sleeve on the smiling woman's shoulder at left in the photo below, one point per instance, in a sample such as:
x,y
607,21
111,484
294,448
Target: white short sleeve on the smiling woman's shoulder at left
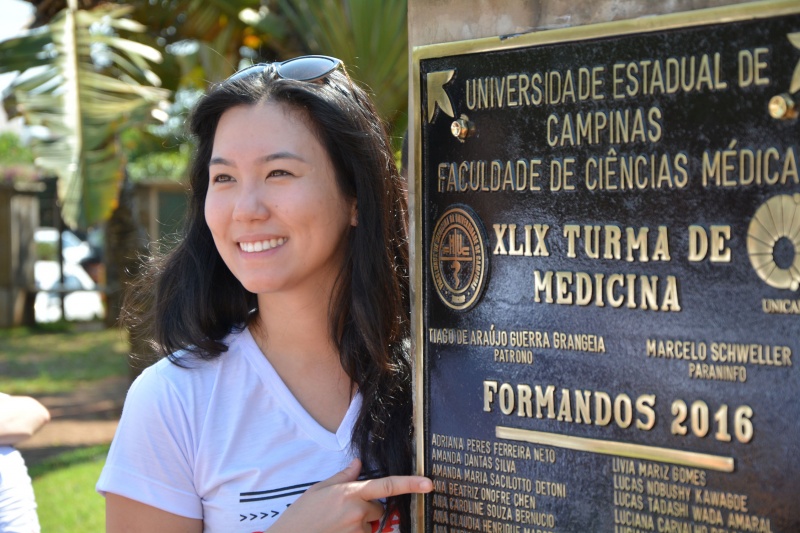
x,y
151,459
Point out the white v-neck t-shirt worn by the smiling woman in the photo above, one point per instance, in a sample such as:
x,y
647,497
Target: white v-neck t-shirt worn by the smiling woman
x,y
221,440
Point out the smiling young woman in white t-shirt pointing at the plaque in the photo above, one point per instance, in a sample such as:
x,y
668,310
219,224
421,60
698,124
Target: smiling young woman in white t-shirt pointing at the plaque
x,y
285,399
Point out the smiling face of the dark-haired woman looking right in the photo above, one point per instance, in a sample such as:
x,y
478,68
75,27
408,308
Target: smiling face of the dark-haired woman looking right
x,y
277,215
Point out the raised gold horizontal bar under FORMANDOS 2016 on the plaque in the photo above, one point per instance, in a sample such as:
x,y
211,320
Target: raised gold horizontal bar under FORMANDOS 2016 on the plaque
x,y
622,449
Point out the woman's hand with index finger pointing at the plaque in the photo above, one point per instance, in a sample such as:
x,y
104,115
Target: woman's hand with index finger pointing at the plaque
x,y
341,504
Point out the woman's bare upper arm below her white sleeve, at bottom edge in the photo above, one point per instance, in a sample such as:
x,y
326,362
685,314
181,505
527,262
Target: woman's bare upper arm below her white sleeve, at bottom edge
x,y
124,515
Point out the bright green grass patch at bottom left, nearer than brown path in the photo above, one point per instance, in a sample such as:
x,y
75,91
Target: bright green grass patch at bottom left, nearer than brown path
x,y
64,488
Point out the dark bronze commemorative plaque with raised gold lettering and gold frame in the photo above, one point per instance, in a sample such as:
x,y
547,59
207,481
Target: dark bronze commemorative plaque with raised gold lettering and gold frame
x,y
607,273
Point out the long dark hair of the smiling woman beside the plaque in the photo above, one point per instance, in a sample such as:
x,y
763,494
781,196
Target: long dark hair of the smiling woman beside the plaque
x,y
196,300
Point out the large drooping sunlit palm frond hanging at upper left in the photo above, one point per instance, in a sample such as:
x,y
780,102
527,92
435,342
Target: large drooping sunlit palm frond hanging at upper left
x,y
91,82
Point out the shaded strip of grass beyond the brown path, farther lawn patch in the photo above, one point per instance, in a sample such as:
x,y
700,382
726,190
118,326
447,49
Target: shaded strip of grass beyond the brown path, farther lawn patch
x,y
42,361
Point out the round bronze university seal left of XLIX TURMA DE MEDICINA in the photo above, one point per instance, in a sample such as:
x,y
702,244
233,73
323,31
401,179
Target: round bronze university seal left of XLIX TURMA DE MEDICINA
x,y
458,257
